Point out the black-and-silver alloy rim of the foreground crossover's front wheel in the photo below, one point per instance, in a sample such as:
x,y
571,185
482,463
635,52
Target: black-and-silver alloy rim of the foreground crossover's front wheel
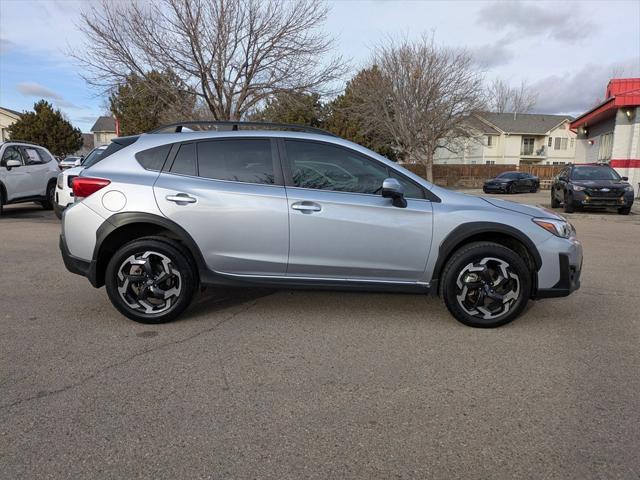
x,y
487,289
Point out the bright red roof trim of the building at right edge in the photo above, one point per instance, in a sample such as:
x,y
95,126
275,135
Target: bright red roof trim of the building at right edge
x,y
621,92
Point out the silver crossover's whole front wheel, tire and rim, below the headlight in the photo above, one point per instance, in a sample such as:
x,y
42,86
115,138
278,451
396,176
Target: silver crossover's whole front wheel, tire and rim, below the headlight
x,y
486,285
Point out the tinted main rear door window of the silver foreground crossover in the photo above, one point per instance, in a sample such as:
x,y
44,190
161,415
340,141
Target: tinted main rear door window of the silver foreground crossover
x,y
242,160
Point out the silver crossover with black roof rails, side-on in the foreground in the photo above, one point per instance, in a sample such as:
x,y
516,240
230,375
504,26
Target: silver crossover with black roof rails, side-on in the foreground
x,y
165,212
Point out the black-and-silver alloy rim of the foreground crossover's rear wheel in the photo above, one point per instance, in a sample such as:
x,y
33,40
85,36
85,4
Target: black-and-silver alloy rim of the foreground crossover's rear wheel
x,y
149,282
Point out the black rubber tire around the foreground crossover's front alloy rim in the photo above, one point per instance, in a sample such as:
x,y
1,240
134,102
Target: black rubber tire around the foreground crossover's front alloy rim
x,y
476,252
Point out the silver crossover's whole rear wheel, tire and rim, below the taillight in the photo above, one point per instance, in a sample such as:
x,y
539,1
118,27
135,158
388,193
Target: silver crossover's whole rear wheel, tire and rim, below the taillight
x,y
150,280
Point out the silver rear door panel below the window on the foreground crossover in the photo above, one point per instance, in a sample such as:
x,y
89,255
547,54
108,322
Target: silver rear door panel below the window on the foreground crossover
x,y
240,228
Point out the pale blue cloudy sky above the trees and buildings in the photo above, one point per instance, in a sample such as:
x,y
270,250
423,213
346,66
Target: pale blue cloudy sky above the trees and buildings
x,y
566,51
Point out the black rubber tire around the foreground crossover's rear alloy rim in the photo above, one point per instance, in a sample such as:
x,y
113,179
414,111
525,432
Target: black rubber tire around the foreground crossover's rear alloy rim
x,y
185,282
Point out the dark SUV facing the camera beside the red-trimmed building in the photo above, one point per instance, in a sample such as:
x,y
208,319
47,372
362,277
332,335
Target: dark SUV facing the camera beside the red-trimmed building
x,y
592,186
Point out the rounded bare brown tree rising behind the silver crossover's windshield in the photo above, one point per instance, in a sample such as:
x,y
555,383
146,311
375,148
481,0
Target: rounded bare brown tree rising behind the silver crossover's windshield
x,y
420,97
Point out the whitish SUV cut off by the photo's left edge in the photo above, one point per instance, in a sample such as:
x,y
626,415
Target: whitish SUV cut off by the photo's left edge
x,y
27,174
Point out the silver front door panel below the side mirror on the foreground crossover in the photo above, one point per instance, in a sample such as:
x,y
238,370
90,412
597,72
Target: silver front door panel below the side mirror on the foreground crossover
x,y
356,236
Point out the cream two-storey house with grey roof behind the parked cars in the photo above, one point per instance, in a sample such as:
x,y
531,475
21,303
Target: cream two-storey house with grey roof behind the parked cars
x,y
514,138
